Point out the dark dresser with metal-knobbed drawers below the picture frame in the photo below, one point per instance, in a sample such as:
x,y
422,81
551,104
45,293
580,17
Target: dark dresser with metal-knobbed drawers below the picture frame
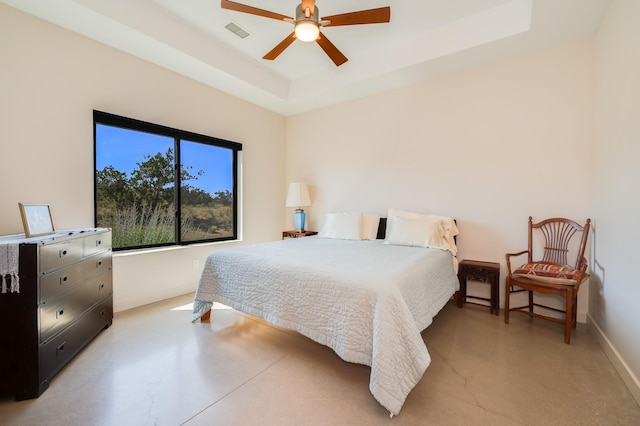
x,y
65,299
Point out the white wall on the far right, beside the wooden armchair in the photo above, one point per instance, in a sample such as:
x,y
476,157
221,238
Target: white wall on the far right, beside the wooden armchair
x,y
615,287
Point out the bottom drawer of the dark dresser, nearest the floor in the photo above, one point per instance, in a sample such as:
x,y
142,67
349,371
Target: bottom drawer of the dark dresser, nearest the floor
x,y
58,351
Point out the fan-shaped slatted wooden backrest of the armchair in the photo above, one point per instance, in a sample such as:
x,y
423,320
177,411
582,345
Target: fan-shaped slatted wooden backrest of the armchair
x,y
557,236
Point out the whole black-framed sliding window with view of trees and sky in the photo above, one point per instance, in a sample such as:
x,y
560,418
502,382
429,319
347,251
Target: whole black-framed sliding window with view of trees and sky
x,y
159,186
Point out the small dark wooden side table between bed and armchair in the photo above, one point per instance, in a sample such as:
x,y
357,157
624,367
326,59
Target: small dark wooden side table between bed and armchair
x,y
485,272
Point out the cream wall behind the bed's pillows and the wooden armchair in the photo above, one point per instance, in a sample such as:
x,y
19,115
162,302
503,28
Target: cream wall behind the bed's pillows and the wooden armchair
x,y
489,146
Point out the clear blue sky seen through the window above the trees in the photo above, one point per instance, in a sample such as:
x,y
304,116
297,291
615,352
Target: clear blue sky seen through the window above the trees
x,y
123,149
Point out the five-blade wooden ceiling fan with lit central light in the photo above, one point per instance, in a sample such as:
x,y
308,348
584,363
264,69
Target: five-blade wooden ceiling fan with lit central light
x,y
307,25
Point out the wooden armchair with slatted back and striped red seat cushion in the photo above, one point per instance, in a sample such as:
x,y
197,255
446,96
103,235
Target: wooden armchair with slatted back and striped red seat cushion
x,y
551,273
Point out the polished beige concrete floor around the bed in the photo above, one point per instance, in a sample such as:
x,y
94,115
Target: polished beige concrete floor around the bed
x,y
155,367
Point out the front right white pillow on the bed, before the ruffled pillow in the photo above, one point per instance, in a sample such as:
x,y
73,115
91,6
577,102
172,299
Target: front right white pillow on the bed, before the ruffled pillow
x,y
416,231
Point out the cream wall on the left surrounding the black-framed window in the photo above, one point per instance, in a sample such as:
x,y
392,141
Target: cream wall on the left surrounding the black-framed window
x,y
51,80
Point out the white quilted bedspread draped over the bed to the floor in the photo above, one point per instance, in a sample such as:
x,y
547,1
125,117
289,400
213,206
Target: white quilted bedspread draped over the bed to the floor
x,y
366,300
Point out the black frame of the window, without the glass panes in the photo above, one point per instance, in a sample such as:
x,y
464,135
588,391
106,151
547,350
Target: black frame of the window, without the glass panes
x,y
109,119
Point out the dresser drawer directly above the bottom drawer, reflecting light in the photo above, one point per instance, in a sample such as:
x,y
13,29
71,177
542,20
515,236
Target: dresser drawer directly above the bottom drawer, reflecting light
x,y
59,313
